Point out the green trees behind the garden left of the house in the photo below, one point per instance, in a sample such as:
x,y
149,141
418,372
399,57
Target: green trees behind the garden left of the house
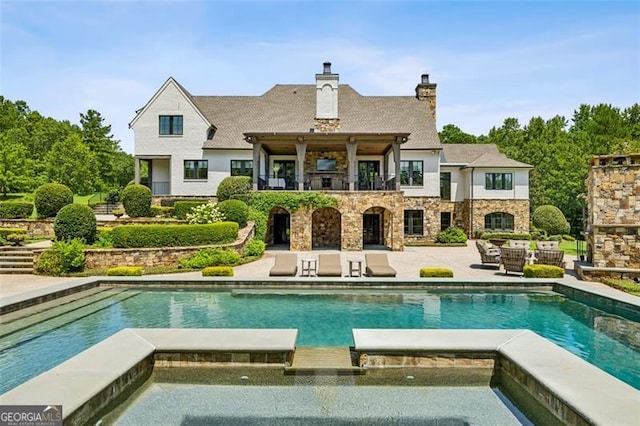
x,y
35,150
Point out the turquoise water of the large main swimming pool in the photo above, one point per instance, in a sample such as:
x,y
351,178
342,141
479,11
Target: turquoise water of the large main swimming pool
x,y
323,319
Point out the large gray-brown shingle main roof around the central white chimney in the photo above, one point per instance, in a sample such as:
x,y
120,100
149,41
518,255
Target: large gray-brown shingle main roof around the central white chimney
x,y
291,108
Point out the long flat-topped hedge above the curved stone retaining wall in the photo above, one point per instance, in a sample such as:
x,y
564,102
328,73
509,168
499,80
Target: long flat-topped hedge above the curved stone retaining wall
x,y
136,236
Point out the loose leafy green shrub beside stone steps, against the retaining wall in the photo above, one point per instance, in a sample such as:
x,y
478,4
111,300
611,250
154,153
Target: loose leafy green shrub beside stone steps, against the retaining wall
x,y
61,258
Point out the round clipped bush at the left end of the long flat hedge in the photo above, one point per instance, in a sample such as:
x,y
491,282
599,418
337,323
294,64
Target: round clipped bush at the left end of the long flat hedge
x,y
75,221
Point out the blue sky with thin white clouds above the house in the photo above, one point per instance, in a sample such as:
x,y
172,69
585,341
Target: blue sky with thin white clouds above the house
x,y
491,60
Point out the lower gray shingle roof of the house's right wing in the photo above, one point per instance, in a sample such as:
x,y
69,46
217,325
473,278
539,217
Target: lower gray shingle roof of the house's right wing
x,y
479,155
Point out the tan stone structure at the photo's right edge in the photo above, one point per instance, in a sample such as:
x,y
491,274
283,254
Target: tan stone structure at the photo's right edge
x,y
613,236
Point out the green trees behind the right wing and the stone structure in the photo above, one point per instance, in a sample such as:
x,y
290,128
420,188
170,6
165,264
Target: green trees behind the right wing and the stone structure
x,y
560,150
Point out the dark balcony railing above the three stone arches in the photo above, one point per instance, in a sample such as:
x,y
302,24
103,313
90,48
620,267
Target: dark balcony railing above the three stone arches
x,y
328,182
